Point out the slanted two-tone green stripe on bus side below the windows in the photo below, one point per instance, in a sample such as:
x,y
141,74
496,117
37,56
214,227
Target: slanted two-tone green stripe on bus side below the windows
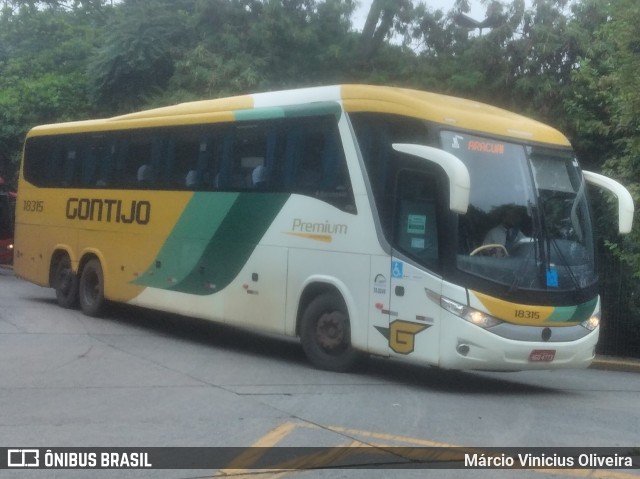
x,y
213,240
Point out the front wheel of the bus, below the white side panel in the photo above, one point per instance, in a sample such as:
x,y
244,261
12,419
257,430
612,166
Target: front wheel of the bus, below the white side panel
x,y
326,334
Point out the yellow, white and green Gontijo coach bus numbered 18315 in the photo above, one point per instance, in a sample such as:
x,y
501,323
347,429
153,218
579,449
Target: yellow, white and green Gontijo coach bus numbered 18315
x,y
362,219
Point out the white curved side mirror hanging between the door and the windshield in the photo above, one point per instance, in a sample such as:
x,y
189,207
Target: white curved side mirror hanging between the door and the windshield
x,y
456,170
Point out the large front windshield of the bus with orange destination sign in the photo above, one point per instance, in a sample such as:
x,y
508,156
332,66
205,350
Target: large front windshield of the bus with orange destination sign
x,y
528,225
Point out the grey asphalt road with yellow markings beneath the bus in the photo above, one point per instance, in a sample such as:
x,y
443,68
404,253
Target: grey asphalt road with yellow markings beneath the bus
x,y
140,378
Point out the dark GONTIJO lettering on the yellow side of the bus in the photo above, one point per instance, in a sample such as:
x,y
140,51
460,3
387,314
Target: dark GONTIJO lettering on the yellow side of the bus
x,y
109,210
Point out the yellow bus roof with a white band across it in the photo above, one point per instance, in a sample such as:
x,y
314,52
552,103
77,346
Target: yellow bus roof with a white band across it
x,y
446,110
